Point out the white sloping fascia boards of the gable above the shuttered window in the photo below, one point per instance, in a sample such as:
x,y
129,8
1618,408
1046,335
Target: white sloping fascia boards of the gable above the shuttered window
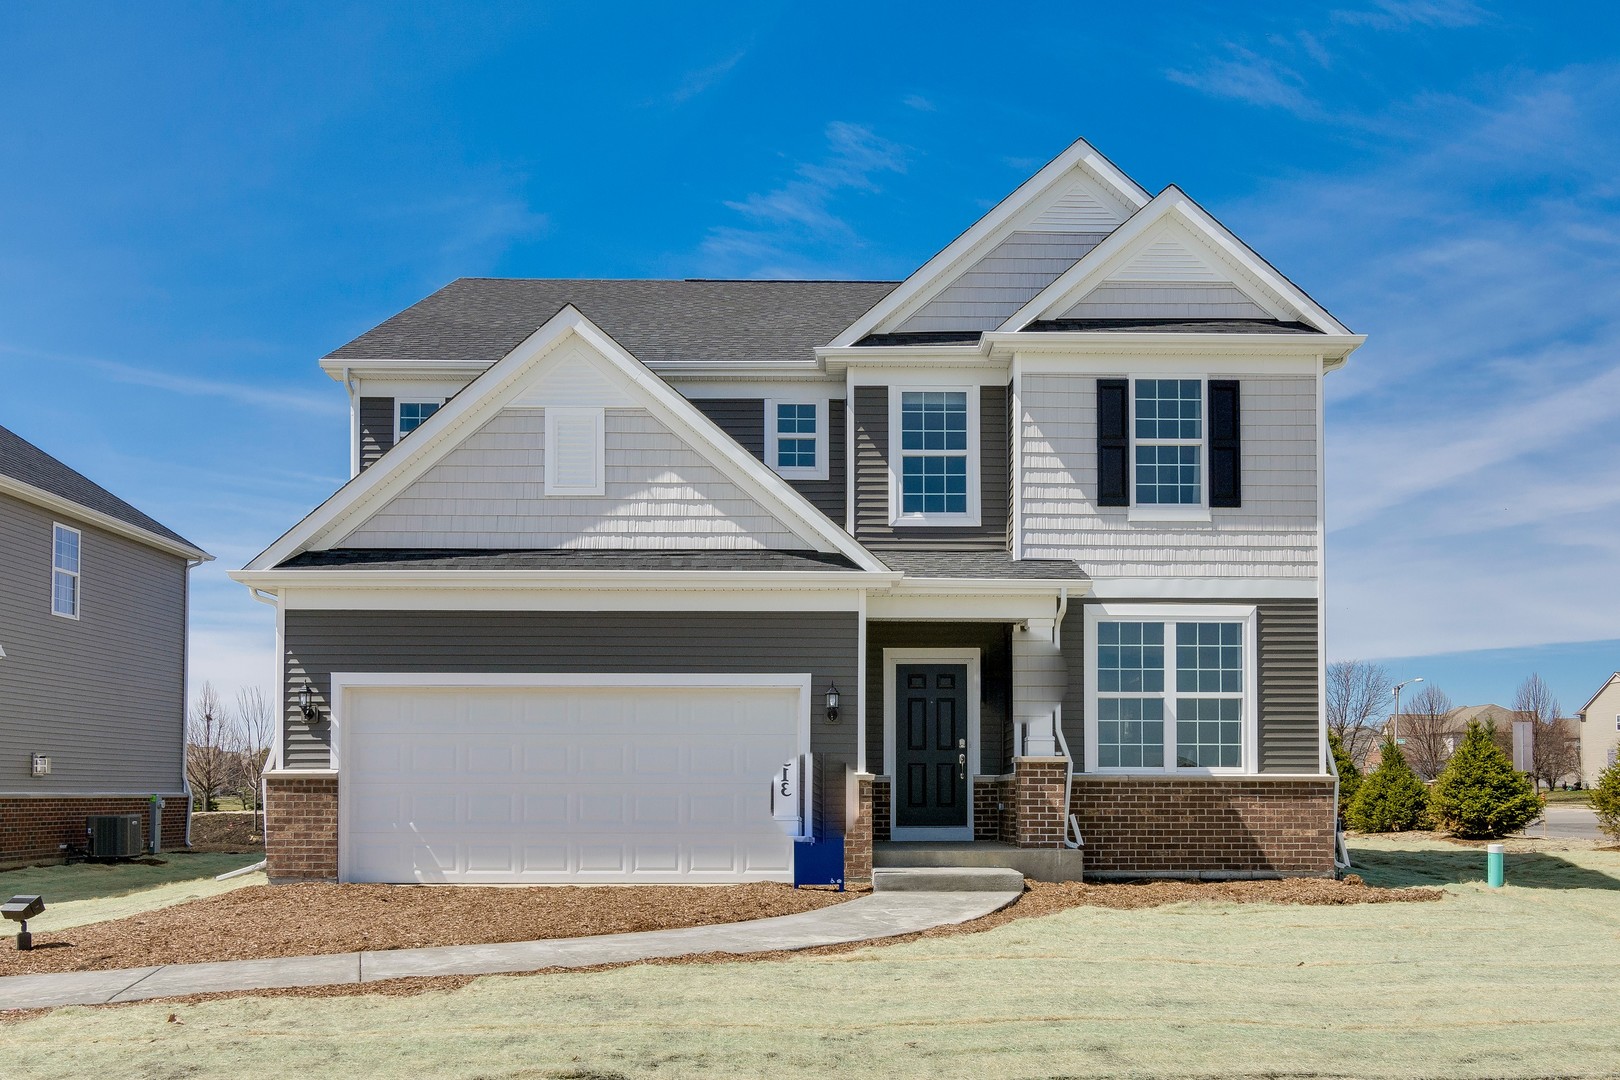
x,y
1096,265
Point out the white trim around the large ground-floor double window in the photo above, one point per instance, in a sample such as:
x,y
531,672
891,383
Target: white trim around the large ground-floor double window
x,y
1170,614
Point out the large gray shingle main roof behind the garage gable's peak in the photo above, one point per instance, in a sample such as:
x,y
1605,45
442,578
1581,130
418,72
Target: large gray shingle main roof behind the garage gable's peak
x,y
484,318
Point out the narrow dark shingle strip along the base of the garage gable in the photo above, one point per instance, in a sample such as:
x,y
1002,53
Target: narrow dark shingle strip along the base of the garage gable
x,y
565,559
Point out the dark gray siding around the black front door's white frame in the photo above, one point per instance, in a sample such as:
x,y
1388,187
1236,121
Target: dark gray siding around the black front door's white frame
x,y
995,671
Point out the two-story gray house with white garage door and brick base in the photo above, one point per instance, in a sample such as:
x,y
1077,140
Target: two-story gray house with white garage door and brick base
x,y
1049,506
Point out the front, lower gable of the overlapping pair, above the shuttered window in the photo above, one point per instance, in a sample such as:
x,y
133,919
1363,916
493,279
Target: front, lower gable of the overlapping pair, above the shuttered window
x,y
1174,261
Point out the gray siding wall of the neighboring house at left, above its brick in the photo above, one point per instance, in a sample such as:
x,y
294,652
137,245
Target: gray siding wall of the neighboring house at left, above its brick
x,y
101,695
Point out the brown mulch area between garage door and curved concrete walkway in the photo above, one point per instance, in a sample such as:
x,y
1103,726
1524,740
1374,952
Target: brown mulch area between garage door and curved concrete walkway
x,y
323,919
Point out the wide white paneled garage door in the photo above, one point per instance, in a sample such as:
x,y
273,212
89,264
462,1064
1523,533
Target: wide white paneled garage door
x,y
565,783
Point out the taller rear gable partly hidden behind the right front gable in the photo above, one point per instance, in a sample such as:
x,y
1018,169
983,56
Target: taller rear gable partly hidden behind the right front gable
x,y
1025,242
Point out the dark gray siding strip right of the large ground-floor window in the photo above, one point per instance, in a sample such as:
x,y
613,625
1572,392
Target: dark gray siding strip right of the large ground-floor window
x,y
1290,695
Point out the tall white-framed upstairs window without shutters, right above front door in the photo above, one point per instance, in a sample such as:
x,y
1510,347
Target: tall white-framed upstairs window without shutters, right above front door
x,y
936,457
